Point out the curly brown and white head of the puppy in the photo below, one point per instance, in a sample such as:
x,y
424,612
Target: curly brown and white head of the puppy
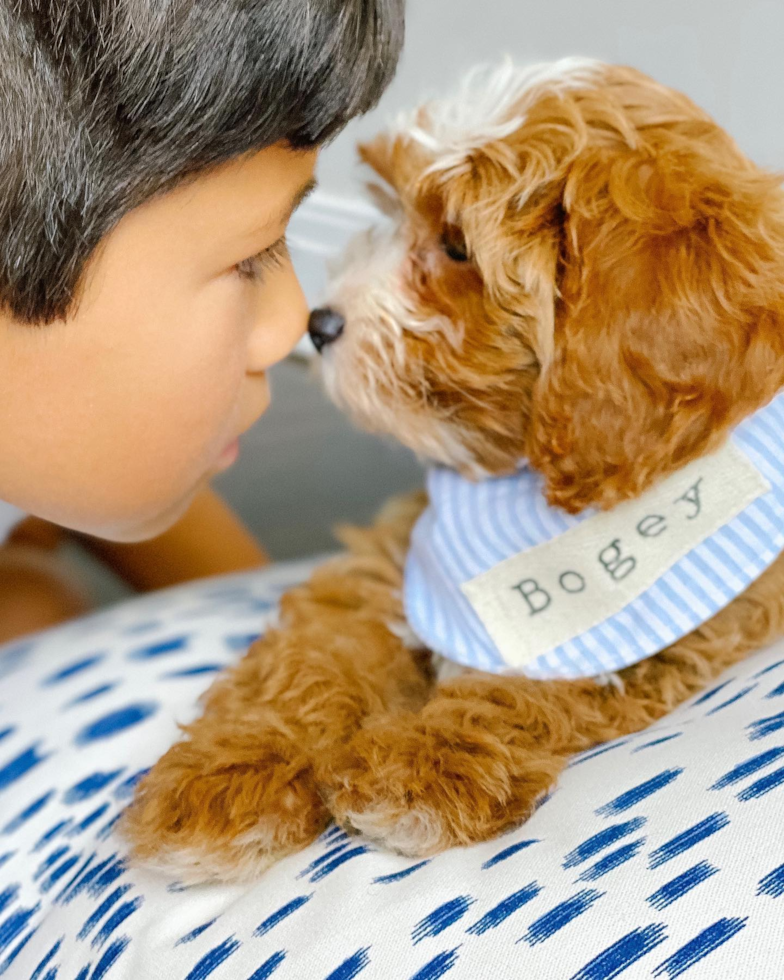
x,y
580,268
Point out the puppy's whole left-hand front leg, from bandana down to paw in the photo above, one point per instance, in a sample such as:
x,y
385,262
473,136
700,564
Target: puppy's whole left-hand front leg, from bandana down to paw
x,y
239,791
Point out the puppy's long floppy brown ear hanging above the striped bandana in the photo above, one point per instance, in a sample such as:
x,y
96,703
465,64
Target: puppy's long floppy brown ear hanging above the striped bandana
x,y
669,326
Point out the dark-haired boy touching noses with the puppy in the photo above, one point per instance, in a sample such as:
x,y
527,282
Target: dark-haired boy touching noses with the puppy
x,y
151,156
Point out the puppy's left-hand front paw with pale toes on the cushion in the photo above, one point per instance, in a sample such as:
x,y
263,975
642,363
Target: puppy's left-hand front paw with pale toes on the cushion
x,y
225,809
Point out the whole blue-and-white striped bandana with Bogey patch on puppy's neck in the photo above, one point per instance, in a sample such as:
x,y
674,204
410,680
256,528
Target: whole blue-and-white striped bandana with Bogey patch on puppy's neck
x,y
498,580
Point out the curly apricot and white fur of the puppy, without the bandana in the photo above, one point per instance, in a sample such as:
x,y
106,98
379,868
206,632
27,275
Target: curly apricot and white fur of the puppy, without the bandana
x,y
622,309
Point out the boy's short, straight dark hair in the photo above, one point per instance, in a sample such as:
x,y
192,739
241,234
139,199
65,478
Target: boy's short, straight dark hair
x,y
108,102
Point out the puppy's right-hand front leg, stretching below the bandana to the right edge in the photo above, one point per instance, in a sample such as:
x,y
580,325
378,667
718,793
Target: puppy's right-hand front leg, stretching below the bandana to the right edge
x,y
475,761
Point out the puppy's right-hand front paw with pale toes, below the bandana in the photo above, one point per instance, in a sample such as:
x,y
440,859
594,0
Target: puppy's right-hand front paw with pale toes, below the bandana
x,y
420,788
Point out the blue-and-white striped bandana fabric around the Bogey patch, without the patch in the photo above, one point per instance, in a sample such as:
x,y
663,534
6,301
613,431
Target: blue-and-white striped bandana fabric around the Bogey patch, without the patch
x,y
469,528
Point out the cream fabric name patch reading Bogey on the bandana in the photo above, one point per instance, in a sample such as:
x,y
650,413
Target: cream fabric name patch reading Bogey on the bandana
x,y
533,602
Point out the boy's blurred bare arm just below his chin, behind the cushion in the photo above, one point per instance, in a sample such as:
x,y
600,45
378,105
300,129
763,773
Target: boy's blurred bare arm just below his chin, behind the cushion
x,y
209,540
